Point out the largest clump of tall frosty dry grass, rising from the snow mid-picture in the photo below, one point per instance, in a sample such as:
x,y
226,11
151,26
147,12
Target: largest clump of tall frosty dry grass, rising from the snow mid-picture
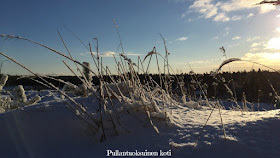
x,y
138,97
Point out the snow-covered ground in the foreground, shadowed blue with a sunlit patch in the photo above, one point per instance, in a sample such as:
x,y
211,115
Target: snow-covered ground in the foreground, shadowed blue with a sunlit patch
x,y
49,130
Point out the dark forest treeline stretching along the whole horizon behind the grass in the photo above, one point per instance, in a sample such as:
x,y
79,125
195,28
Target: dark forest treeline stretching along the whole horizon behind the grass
x,y
254,85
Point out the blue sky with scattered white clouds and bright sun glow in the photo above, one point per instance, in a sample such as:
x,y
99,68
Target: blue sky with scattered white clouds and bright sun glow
x,y
194,30
